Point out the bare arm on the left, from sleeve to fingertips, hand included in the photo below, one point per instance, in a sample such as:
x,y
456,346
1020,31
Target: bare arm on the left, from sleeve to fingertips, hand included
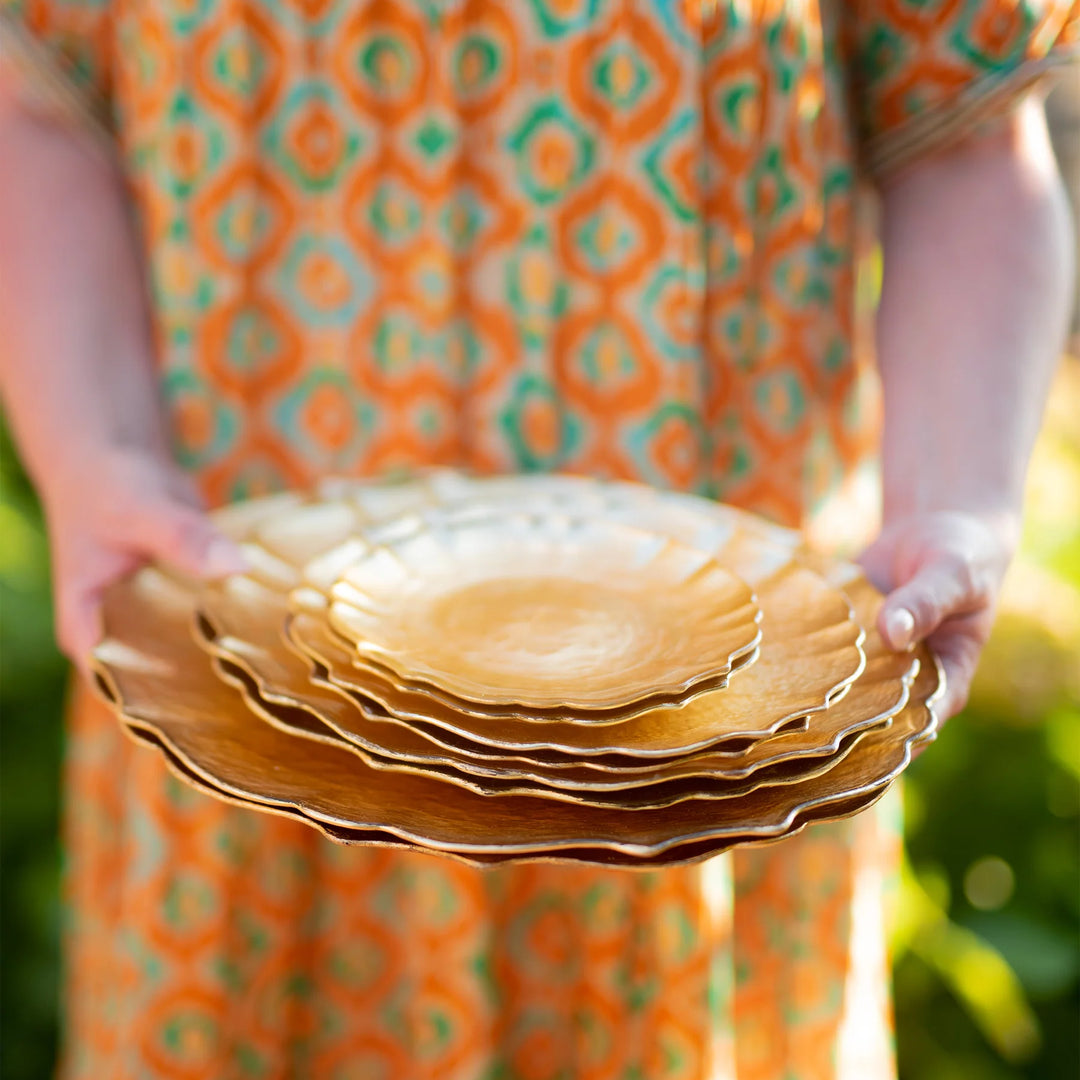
x,y
77,375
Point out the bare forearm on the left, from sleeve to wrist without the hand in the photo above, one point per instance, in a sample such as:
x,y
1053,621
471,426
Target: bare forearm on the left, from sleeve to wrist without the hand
x,y
76,370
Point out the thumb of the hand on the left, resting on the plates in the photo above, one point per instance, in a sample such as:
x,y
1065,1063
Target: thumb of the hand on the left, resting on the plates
x,y
184,536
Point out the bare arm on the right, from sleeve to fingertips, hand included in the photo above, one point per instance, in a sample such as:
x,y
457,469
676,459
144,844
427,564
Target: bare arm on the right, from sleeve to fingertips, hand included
x,y
978,285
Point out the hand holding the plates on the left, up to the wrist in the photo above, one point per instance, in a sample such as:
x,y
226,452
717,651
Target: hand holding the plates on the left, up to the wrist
x,y
123,509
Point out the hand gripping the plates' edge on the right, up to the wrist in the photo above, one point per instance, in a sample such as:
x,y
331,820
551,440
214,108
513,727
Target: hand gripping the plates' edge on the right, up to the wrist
x,y
942,574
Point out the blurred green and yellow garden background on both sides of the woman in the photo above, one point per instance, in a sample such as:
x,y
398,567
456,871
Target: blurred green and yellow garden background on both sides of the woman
x,y
988,930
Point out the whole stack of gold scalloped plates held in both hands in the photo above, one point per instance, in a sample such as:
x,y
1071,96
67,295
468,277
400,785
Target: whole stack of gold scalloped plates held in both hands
x,y
521,668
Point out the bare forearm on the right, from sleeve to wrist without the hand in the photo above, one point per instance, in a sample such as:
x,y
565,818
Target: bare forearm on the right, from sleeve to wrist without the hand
x,y
978,286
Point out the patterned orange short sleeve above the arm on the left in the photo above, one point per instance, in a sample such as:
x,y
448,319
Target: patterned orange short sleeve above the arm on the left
x,y
59,53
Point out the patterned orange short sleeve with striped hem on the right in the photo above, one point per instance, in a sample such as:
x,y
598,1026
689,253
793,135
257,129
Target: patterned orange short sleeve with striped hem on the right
x,y
926,73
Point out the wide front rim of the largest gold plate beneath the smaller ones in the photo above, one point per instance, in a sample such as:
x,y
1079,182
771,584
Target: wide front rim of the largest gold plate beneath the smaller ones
x,y
160,681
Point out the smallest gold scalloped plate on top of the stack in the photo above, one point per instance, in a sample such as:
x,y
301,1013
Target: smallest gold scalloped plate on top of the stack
x,y
545,612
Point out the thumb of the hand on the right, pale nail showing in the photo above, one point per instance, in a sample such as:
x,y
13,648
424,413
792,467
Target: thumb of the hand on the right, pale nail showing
x,y
944,587
